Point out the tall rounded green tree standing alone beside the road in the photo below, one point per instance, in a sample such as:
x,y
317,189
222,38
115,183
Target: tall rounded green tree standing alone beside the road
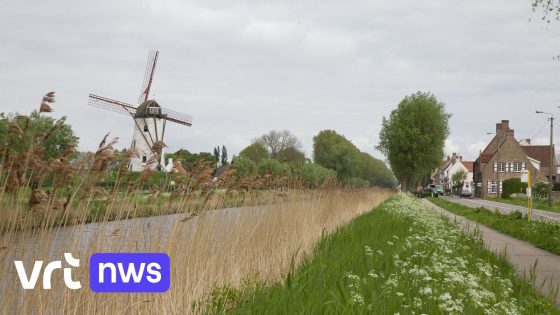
x,y
413,137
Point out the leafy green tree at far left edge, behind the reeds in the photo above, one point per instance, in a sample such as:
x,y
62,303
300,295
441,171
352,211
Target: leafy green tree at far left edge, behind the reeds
x,y
60,135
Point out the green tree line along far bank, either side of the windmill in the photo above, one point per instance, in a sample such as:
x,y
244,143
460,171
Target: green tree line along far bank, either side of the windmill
x,y
335,159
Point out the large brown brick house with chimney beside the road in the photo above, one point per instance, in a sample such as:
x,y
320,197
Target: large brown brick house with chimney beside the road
x,y
493,166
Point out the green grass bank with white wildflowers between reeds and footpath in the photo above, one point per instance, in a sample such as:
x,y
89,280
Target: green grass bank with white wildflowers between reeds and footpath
x,y
400,258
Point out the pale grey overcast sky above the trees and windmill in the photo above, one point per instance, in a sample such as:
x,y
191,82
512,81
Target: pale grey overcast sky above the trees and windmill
x,y
242,68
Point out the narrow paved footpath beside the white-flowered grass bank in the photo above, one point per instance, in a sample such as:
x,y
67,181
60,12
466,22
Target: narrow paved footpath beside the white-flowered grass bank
x,y
521,254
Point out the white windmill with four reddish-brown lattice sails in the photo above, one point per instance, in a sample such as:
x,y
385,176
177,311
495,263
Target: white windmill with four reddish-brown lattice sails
x,y
149,121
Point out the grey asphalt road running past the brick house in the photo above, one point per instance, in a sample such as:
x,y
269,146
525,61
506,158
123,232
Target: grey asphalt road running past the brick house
x,y
504,208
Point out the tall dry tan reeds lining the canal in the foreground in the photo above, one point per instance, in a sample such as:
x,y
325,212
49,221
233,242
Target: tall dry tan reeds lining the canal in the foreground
x,y
211,249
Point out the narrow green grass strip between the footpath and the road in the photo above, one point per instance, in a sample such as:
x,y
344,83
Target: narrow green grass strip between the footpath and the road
x,y
542,234
